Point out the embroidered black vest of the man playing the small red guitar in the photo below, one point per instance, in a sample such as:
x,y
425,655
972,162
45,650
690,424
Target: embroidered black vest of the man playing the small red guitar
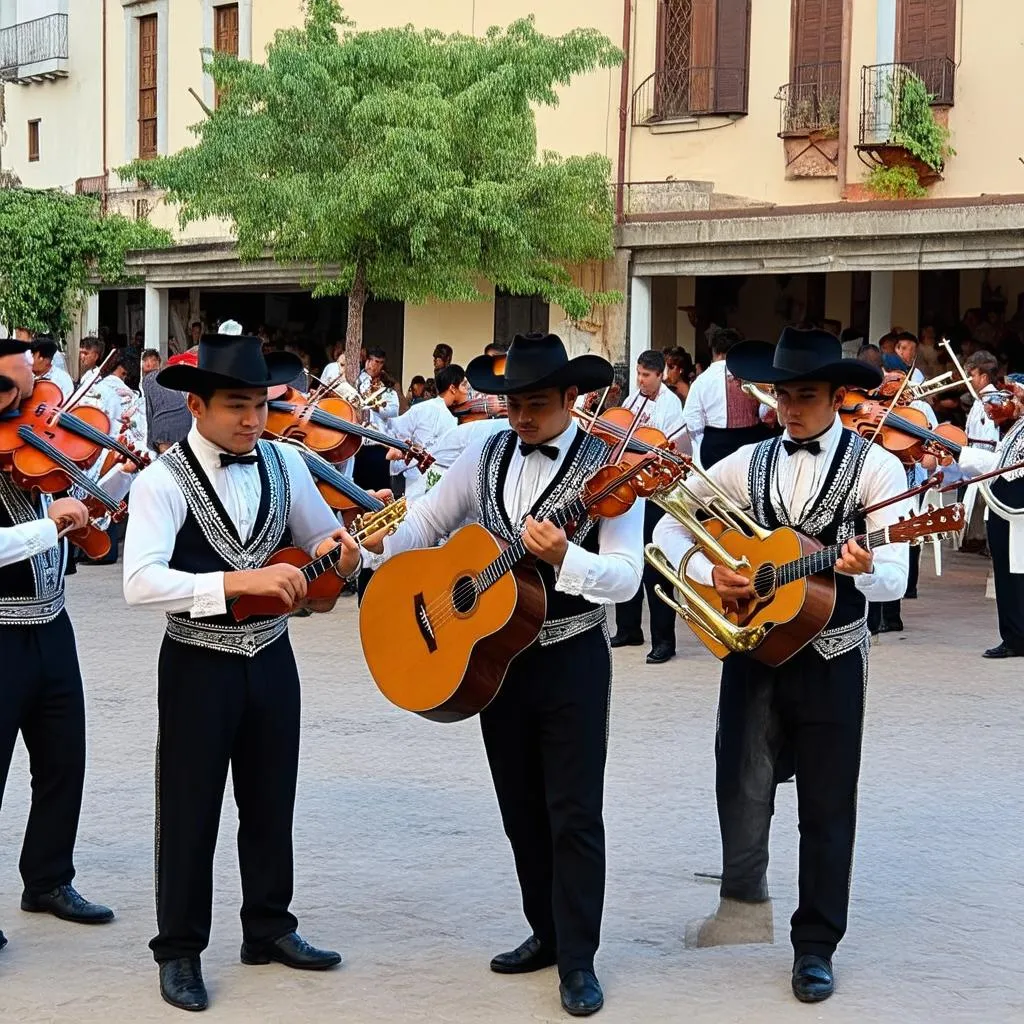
x,y
208,542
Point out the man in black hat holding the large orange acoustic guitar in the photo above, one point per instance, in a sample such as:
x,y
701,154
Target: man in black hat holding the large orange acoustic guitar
x,y
546,732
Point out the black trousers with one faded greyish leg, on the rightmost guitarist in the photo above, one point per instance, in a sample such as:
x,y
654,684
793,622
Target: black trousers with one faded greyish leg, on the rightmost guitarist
x,y
813,710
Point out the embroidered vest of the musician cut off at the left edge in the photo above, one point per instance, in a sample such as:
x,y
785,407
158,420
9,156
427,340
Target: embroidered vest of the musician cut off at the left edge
x,y
32,590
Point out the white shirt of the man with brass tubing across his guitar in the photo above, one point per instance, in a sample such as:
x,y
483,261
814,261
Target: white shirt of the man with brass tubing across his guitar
x,y
797,483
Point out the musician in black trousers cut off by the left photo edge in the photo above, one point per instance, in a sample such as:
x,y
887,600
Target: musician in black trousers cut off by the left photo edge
x,y
42,682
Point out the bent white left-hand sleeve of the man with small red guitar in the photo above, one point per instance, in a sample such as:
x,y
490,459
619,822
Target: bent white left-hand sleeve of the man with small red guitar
x,y
158,511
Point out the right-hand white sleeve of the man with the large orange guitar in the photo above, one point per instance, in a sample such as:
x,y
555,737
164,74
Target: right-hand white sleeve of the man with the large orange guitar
x,y
614,574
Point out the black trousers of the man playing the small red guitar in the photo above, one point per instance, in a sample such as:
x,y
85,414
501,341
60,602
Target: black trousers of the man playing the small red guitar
x,y
218,710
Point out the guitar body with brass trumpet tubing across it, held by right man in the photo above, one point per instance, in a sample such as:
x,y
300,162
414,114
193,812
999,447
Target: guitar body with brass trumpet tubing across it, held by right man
x,y
794,614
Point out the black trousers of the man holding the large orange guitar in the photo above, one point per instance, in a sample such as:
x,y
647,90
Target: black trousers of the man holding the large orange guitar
x,y
546,738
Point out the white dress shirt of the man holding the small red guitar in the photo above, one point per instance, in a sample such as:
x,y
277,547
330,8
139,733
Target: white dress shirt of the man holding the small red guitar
x,y
159,509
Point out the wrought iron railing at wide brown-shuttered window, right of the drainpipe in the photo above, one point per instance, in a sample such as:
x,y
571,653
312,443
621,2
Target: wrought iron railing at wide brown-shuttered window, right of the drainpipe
x,y
680,93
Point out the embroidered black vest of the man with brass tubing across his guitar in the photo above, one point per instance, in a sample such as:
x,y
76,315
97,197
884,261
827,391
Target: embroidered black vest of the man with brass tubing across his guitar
x,y
831,519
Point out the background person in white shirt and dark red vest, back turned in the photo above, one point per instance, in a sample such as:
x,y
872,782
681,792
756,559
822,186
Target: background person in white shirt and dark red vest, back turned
x,y
719,415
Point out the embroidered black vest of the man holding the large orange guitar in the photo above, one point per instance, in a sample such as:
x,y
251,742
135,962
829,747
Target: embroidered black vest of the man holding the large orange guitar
x,y
568,615
